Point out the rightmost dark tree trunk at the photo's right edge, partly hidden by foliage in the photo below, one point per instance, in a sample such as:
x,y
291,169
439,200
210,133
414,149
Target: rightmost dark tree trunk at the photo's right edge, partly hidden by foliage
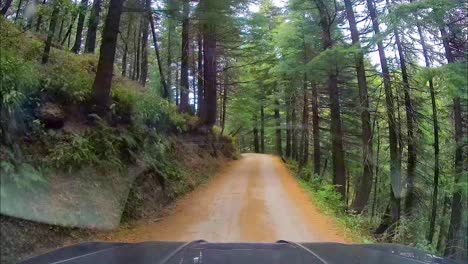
x,y
452,247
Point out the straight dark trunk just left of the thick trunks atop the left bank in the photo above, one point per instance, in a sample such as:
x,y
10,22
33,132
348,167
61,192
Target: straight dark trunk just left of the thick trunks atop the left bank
x,y
184,105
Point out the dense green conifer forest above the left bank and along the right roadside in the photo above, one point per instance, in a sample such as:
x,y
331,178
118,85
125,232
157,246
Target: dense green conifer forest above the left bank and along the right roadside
x,y
369,96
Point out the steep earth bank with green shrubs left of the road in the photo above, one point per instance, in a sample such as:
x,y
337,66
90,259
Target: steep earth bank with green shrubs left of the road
x,y
65,172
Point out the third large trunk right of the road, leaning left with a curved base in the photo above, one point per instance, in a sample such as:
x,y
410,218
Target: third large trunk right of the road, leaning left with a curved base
x,y
391,219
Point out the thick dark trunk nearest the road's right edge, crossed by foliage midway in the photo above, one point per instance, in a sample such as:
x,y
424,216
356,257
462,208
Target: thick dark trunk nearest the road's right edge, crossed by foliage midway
x,y
339,172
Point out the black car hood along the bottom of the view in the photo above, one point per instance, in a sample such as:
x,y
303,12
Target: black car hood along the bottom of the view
x,y
201,252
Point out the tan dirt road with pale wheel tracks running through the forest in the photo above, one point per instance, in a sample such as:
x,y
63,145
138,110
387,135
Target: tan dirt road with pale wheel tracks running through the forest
x,y
251,199
